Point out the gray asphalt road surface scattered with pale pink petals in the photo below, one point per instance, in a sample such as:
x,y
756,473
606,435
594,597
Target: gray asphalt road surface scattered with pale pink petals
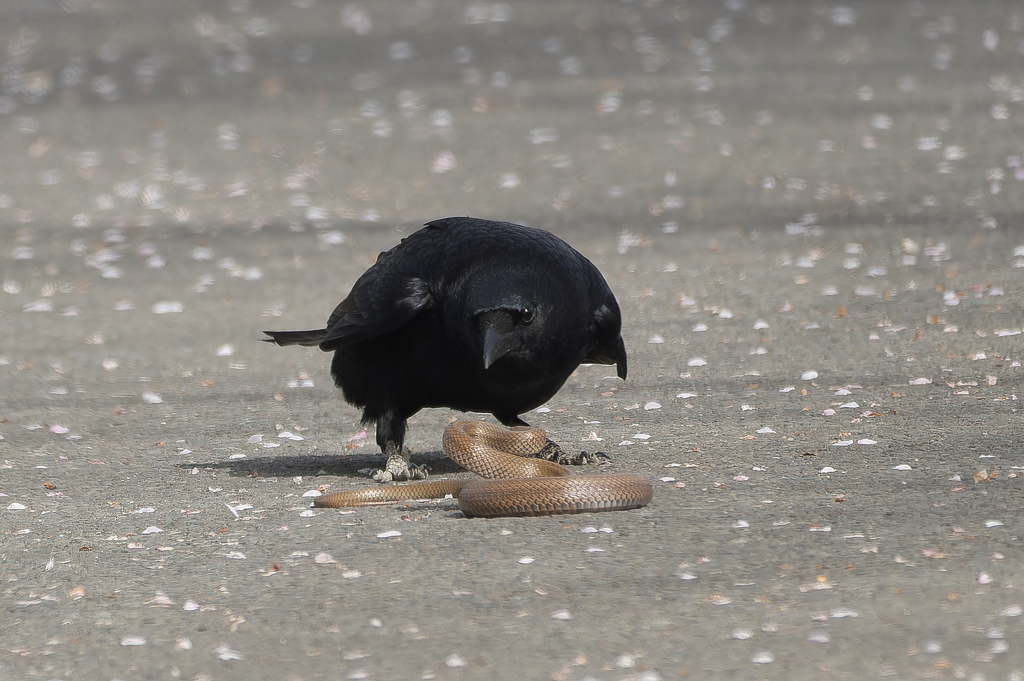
x,y
810,214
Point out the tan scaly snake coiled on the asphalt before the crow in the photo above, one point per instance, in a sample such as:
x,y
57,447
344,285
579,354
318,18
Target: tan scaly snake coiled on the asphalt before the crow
x,y
516,486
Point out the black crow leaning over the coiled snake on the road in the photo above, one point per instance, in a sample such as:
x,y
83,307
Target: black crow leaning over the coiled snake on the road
x,y
466,314
